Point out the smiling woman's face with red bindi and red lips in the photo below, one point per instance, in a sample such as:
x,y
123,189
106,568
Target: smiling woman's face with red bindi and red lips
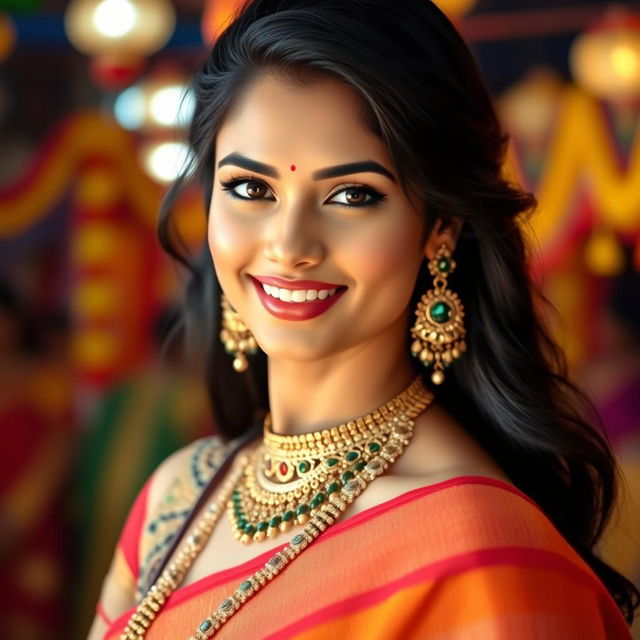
x,y
307,205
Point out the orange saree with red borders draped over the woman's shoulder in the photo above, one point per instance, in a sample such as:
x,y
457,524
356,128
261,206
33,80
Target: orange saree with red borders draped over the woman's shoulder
x,y
469,557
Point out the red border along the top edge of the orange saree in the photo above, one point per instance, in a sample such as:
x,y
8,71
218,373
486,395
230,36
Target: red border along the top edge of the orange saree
x,y
250,566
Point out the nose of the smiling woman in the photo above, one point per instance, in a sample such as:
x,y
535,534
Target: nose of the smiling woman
x,y
293,241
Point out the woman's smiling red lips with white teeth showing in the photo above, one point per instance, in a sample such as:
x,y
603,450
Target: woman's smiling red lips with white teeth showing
x,y
296,299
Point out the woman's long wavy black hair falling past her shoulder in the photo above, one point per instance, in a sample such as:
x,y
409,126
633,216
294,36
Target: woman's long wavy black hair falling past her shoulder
x,y
427,101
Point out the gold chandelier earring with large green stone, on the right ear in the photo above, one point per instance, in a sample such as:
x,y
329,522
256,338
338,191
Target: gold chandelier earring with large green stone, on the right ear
x,y
439,330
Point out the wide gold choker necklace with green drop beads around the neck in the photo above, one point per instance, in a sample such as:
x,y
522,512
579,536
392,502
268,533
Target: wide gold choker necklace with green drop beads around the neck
x,y
289,477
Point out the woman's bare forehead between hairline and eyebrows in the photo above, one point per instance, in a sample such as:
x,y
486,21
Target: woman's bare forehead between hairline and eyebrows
x,y
276,118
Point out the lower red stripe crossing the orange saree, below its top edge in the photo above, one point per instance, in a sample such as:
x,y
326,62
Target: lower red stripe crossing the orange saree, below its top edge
x,y
523,556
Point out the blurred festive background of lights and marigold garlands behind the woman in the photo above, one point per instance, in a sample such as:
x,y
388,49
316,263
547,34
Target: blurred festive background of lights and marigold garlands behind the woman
x,y
93,108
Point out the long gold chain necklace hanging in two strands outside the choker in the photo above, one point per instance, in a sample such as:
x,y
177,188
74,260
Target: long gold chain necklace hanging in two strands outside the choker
x,y
320,520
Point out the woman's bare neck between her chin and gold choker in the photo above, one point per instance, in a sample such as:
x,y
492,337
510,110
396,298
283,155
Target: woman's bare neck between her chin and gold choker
x,y
310,396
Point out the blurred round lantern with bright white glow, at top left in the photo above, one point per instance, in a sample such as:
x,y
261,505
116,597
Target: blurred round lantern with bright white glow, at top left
x,y
134,28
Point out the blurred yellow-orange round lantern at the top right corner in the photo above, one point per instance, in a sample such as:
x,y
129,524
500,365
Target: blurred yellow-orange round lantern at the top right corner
x,y
605,59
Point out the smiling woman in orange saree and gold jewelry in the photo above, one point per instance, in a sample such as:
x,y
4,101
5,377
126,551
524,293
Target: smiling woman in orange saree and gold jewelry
x,y
347,150
